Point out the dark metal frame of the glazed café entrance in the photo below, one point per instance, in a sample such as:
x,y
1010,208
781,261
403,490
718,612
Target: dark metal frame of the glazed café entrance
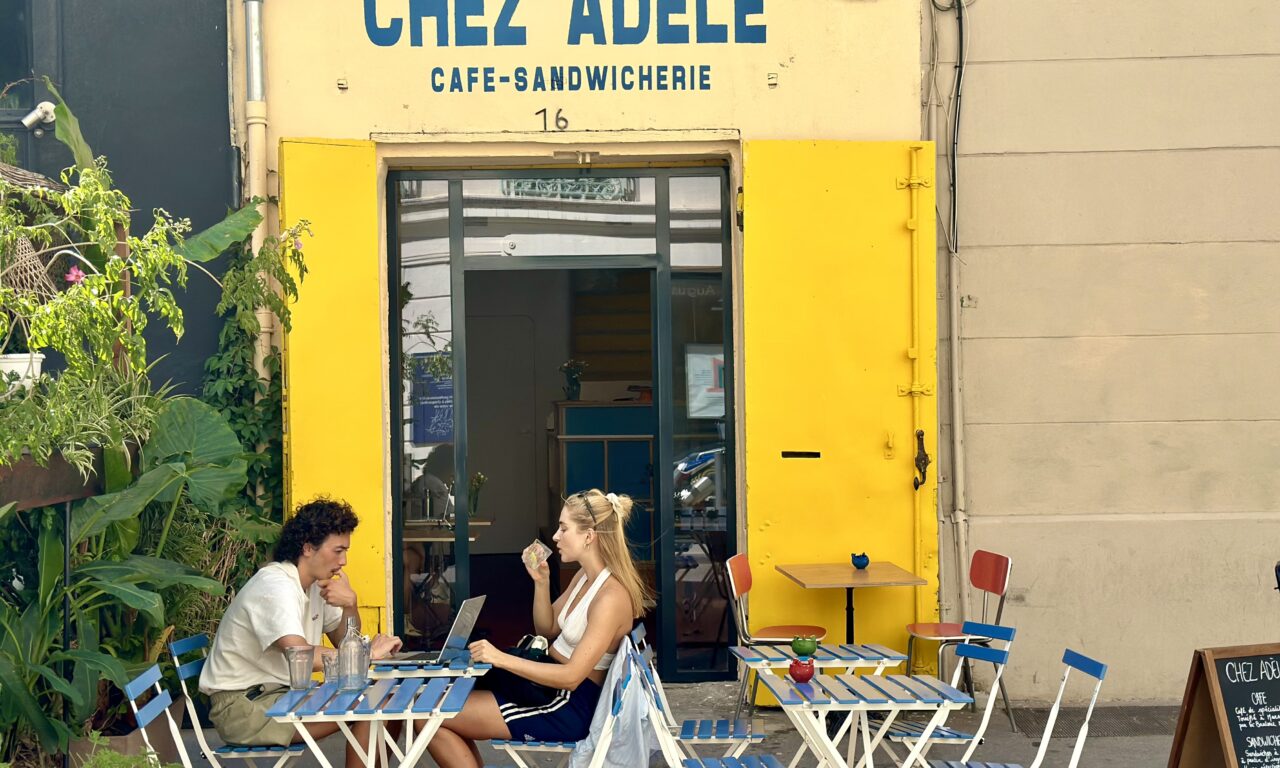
x,y
661,277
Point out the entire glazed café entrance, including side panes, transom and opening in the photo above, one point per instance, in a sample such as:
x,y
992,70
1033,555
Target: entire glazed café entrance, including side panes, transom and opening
x,y
505,277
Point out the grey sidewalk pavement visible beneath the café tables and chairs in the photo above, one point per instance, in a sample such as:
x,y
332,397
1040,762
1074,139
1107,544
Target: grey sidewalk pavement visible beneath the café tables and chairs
x,y
716,701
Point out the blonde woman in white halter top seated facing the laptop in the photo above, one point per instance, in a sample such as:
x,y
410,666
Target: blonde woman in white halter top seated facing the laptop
x,y
555,701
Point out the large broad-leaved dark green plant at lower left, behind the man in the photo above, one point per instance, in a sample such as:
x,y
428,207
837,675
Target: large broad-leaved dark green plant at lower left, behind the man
x,y
115,589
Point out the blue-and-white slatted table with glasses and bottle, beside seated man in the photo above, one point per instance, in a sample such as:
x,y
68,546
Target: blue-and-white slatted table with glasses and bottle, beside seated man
x,y
404,700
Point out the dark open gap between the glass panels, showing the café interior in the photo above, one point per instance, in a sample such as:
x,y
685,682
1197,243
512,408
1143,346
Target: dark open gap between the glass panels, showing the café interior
x,y
531,442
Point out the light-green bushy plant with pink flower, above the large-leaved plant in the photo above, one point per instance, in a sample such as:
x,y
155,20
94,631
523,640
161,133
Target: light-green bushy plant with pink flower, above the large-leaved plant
x,y
109,286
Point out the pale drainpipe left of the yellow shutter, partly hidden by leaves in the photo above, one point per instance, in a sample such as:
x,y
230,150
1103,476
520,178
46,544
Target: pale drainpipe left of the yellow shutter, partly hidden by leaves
x,y
255,122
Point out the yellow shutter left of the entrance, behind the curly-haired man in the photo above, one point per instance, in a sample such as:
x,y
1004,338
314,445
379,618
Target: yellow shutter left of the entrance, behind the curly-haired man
x,y
336,365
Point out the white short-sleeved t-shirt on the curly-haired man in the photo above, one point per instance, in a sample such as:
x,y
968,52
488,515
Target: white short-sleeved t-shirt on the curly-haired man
x,y
271,607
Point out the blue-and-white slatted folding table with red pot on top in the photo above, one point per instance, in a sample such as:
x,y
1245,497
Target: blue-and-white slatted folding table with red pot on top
x,y
807,706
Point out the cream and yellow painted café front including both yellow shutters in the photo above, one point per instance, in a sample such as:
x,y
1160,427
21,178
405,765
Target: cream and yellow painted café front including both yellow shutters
x,y
819,126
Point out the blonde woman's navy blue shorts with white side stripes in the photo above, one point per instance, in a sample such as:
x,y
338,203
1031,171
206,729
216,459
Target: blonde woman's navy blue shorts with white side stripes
x,y
540,714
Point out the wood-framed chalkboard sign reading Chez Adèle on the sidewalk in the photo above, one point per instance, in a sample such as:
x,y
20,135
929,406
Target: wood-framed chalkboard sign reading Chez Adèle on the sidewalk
x,y
1231,712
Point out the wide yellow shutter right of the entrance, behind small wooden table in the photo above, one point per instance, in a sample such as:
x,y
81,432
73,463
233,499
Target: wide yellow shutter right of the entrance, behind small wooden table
x,y
834,254
